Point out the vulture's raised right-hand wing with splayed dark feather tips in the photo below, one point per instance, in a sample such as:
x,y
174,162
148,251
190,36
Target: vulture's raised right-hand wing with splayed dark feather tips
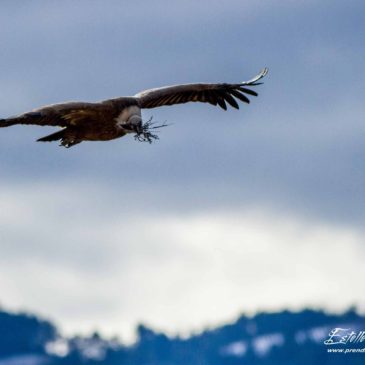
x,y
215,94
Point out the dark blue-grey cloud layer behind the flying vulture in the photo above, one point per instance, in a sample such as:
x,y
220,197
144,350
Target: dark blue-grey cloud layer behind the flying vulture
x,y
298,145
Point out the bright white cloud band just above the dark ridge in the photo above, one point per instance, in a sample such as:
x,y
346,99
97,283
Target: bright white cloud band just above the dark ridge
x,y
66,255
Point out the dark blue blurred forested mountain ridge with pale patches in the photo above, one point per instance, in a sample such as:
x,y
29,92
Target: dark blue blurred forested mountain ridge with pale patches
x,y
284,338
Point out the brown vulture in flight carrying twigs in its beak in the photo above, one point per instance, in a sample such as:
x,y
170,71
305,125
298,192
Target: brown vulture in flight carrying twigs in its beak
x,y
114,118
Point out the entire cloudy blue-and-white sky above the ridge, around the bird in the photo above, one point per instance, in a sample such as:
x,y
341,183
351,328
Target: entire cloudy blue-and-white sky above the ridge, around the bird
x,y
261,208
